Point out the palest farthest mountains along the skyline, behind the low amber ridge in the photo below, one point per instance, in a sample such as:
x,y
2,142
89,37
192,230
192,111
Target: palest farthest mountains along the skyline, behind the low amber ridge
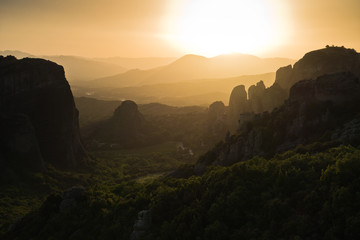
x,y
124,72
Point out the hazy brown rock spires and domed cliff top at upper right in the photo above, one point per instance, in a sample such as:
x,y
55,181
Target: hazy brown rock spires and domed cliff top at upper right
x,y
314,64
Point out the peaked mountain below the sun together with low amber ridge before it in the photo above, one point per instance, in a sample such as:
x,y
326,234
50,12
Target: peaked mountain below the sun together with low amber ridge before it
x,y
190,80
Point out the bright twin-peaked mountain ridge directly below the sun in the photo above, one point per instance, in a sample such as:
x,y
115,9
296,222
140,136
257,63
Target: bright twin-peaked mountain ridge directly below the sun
x,y
193,67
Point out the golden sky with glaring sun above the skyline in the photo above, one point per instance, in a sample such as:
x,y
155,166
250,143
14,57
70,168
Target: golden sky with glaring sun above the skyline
x,y
172,28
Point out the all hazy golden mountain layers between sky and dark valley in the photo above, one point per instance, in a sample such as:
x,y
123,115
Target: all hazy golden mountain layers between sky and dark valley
x,y
189,80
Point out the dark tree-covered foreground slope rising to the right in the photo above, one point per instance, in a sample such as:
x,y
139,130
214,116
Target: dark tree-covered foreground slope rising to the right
x,y
294,195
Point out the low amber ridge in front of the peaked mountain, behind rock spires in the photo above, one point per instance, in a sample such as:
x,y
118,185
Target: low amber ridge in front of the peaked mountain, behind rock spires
x,y
198,92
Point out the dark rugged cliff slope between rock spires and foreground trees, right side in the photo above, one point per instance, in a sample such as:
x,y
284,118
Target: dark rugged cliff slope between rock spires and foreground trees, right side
x,y
321,110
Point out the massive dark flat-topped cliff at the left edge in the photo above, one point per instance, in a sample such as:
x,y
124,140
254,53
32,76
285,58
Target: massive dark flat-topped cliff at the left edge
x,y
38,90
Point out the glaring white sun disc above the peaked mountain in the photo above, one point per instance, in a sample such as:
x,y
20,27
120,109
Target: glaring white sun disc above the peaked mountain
x,y
213,27
